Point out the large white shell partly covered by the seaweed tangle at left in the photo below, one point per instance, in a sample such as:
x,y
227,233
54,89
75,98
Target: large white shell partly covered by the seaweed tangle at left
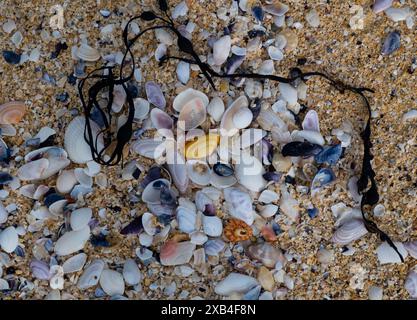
x,y
76,146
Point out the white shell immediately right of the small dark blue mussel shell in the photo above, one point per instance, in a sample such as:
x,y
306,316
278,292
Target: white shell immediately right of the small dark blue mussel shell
x,y
249,172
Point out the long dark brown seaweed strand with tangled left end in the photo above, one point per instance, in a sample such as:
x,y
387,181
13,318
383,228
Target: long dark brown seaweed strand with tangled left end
x,y
123,135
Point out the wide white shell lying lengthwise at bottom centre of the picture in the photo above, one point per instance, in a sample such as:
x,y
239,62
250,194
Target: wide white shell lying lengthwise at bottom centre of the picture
x,y
235,283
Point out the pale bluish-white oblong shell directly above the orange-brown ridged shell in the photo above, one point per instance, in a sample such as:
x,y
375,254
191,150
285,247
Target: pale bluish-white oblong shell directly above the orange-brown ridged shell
x,y
239,204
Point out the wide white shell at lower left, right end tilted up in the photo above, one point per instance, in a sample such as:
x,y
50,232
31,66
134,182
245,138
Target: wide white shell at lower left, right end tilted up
x,y
72,241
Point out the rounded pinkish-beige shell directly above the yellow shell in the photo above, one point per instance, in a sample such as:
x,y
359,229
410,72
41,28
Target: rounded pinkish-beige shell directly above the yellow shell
x,y
192,114
